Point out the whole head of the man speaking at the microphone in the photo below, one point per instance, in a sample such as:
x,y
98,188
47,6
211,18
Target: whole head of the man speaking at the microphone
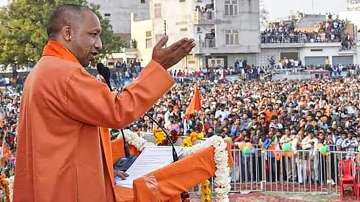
x,y
77,29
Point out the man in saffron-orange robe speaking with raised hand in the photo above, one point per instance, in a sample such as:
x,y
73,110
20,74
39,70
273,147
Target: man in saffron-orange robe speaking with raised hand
x,y
59,154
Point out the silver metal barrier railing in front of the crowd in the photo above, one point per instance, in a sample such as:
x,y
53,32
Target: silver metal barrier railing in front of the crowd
x,y
276,171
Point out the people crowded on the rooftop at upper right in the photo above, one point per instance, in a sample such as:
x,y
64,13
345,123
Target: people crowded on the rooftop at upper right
x,y
331,30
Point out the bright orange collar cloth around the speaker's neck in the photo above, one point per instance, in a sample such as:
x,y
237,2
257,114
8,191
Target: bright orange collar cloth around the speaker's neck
x,y
54,48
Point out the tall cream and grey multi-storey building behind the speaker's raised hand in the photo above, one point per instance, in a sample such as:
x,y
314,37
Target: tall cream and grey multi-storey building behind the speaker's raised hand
x,y
224,30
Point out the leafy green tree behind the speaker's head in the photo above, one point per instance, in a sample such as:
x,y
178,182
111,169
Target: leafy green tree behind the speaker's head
x,y
23,30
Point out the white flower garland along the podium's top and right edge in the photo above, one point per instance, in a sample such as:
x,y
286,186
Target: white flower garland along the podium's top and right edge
x,y
222,173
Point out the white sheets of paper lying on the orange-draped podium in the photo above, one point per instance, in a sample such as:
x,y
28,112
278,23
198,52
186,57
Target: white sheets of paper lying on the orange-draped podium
x,y
150,159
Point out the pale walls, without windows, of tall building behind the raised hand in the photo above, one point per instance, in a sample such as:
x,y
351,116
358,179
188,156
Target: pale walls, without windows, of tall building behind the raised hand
x,y
181,22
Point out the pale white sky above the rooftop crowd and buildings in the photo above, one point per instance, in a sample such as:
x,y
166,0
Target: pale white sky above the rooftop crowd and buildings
x,y
282,8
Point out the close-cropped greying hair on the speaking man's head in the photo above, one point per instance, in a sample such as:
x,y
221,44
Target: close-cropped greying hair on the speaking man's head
x,y
65,15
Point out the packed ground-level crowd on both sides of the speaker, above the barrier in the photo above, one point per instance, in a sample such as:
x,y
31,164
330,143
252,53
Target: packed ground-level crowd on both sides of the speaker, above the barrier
x,y
256,112
